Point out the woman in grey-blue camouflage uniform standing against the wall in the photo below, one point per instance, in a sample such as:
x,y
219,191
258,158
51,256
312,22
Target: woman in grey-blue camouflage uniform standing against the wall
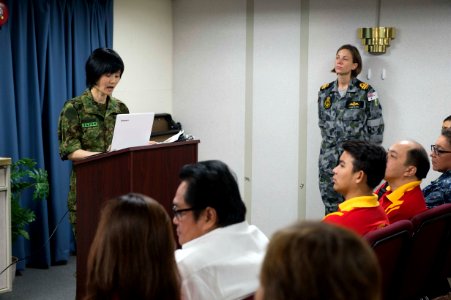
x,y
349,109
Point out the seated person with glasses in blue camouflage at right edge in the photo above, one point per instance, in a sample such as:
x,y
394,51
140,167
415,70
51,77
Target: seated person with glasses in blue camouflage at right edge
x,y
439,191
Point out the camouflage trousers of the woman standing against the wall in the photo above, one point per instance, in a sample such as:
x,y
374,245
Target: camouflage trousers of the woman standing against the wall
x,y
328,160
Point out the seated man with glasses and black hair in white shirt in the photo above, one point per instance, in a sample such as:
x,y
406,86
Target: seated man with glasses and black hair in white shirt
x,y
221,253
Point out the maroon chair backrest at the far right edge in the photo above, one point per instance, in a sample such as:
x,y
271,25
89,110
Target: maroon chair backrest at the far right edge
x,y
428,251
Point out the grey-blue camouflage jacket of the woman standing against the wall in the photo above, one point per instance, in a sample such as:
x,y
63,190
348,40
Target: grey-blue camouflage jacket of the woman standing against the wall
x,y
356,115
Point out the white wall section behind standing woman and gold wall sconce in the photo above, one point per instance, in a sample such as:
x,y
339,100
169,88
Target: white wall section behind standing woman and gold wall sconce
x,y
418,66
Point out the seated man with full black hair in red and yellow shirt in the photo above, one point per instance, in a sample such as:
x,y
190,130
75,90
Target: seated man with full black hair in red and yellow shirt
x,y
360,169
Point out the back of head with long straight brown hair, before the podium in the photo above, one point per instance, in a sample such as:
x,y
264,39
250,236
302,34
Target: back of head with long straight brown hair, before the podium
x,y
132,255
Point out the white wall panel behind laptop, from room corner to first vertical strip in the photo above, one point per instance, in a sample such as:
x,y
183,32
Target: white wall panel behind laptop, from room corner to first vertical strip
x,y
209,77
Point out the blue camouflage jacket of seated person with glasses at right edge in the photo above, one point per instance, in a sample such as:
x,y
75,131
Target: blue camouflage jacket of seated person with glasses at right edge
x,y
438,191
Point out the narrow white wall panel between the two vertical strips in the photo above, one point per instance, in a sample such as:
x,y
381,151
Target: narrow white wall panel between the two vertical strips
x,y
276,74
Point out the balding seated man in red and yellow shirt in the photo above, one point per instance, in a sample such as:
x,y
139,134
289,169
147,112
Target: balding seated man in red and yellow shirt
x,y
407,165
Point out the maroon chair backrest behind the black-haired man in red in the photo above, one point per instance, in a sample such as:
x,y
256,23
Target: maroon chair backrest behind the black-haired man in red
x,y
390,244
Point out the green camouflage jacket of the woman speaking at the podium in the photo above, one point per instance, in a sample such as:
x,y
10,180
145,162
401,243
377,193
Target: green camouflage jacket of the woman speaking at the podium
x,y
82,125
